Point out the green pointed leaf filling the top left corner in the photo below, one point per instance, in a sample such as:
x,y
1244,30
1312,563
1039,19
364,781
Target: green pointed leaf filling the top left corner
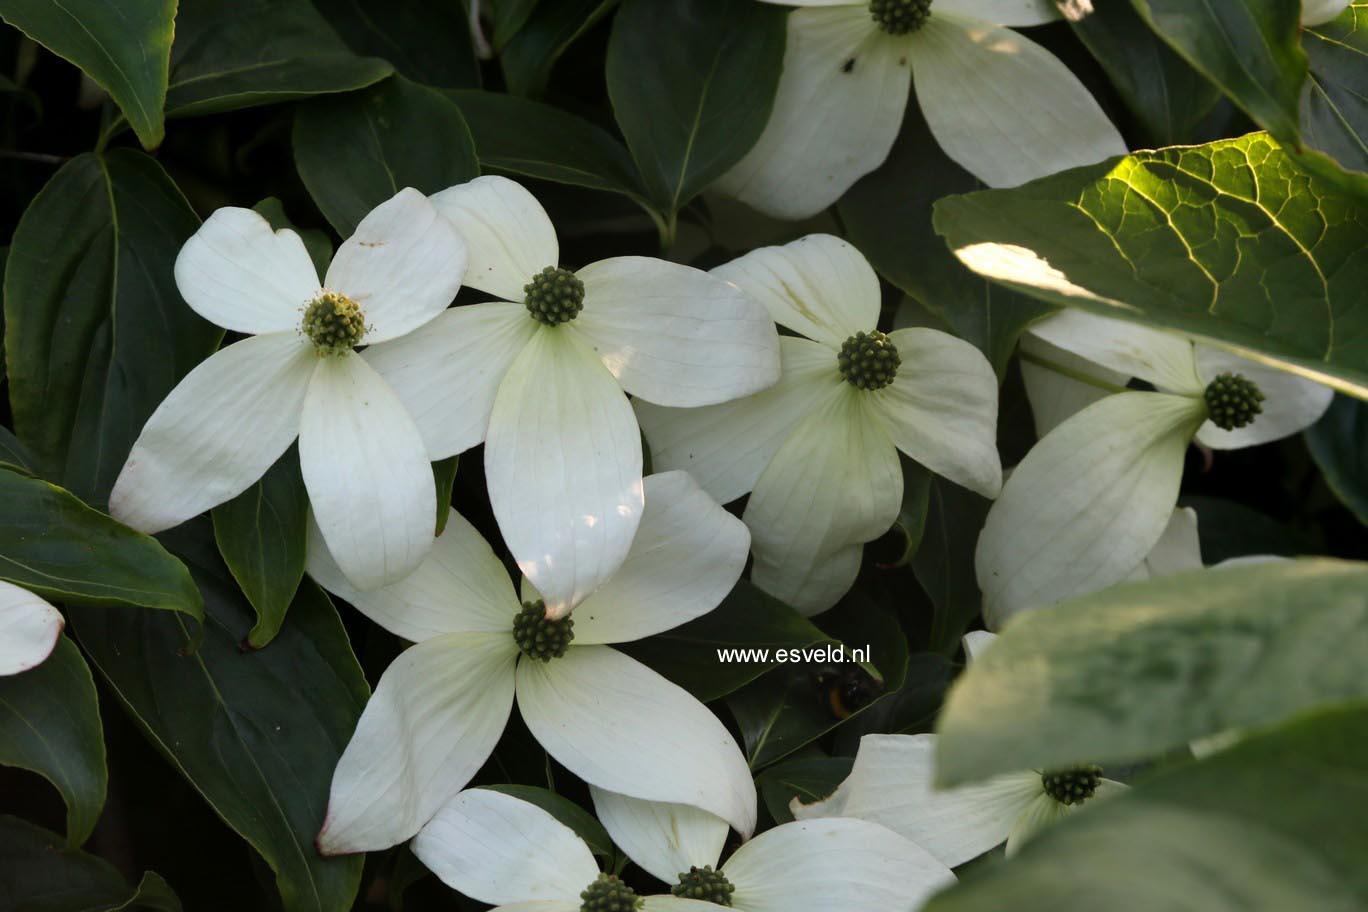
x,y
124,47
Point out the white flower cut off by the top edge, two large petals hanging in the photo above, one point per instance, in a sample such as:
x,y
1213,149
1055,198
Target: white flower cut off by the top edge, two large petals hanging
x,y
998,103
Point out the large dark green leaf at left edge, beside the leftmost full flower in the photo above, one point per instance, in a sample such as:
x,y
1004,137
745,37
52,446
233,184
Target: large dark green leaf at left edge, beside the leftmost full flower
x,y
90,297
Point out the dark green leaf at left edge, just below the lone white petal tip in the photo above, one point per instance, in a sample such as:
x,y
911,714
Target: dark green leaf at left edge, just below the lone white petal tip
x,y
50,724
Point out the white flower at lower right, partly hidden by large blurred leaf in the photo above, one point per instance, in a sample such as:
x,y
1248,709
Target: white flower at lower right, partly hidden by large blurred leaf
x,y
891,786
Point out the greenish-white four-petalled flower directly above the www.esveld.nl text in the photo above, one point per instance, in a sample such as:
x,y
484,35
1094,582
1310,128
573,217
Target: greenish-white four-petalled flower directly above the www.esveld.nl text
x,y
817,452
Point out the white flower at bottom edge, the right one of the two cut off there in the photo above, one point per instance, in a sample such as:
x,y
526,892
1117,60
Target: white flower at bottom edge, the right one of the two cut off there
x,y
802,866
